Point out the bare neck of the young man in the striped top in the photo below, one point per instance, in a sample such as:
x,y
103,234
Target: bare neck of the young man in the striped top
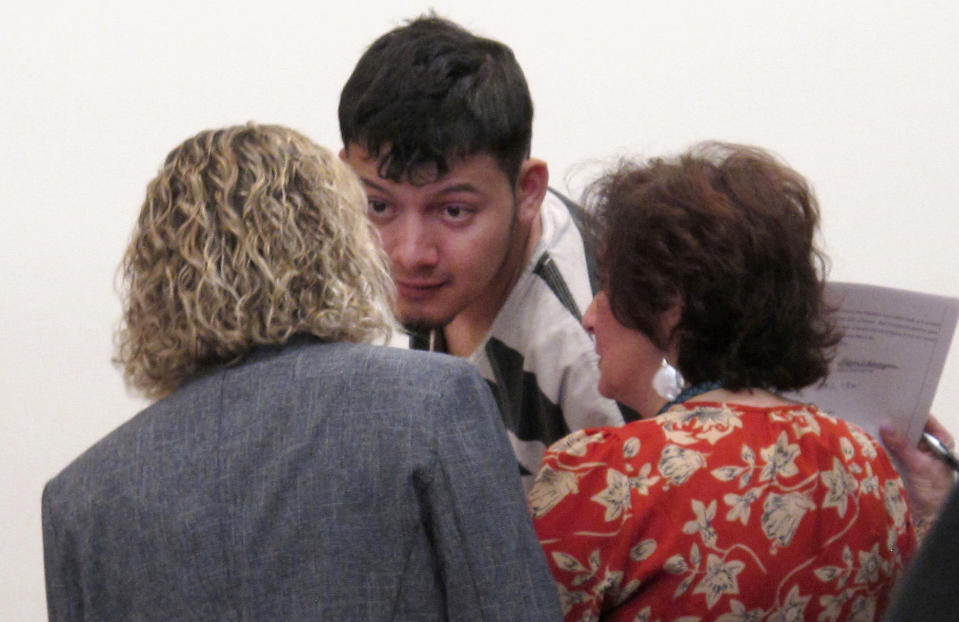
x,y
468,329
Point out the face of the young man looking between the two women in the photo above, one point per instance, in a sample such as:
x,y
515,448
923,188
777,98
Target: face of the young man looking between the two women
x,y
452,242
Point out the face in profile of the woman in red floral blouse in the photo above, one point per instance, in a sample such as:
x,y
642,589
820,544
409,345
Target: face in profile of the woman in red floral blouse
x,y
627,359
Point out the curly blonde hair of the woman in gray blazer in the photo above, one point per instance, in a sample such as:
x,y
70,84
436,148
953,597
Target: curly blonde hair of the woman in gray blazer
x,y
248,235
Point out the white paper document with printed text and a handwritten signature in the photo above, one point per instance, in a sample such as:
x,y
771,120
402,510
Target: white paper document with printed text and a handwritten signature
x,y
889,362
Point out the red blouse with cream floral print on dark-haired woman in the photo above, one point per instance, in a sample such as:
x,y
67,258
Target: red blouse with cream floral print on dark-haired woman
x,y
723,512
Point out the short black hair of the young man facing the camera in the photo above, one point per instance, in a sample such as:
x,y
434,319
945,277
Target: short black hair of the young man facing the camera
x,y
430,92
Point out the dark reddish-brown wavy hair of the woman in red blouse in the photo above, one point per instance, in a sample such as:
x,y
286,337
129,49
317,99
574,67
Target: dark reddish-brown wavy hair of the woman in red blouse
x,y
726,231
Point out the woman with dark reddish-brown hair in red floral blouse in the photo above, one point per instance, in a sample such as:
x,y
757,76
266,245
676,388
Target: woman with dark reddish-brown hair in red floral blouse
x,y
726,501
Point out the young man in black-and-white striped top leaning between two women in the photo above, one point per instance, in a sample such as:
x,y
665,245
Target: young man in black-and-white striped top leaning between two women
x,y
489,264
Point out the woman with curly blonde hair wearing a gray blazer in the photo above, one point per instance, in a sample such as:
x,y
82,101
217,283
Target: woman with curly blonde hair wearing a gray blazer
x,y
288,471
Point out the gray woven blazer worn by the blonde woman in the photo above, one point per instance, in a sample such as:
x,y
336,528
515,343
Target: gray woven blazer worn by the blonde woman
x,y
311,482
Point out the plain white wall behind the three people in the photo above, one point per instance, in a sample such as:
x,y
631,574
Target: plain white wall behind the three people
x,y
859,97
